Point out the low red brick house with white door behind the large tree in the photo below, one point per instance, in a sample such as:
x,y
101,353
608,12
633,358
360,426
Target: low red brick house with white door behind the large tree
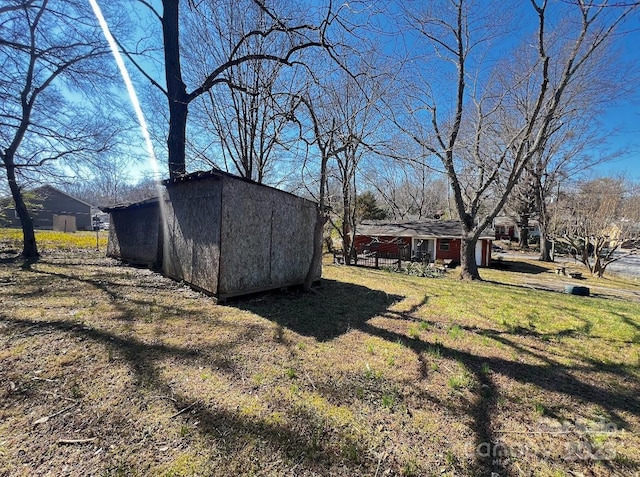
x,y
429,240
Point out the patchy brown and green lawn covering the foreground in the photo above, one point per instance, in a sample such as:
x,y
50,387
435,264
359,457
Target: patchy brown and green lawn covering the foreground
x,y
113,370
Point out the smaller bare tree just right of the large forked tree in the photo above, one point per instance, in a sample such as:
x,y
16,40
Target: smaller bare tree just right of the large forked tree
x,y
577,142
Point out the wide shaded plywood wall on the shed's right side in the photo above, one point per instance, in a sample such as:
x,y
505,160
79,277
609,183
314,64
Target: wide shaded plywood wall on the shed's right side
x,y
266,240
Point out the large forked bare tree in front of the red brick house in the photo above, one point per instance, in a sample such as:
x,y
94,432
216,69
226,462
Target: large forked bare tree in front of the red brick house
x,y
488,130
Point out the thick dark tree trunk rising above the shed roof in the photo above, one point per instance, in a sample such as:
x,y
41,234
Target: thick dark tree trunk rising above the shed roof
x,y
176,89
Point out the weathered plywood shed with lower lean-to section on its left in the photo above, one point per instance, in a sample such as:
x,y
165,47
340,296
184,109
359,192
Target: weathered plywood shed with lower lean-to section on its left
x,y
219,233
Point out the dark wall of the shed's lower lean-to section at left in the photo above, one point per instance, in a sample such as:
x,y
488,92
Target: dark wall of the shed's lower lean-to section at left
x,y
135,235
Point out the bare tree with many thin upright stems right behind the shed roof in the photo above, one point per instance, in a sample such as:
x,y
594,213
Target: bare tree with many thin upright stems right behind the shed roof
x,y
243,121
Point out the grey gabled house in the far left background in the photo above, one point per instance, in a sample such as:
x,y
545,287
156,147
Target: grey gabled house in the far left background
x,y
51,209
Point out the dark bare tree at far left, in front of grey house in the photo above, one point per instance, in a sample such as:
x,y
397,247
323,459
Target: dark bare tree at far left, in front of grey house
x,y
49,51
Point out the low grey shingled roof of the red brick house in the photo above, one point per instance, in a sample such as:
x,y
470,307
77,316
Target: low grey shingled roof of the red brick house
x,y
421,228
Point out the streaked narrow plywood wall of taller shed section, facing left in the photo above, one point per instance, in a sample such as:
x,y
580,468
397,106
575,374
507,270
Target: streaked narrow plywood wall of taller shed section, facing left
x,y
192,249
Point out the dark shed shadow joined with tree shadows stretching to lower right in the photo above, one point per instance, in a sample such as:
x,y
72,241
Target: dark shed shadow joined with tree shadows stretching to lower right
x,y
340,307
